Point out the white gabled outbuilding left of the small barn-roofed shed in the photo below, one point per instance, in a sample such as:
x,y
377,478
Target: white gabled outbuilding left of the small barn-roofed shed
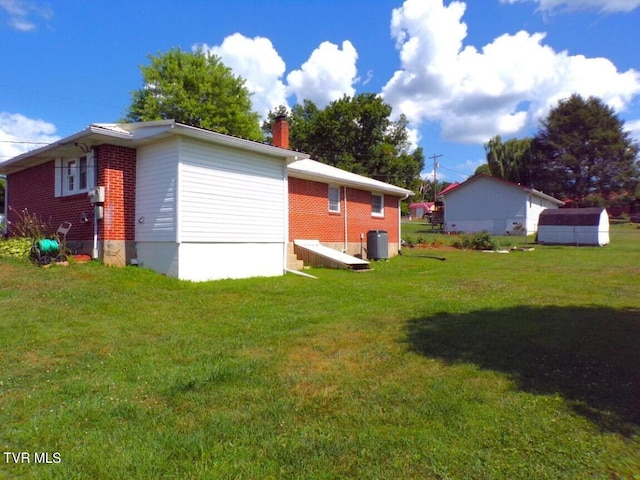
x,y
489,204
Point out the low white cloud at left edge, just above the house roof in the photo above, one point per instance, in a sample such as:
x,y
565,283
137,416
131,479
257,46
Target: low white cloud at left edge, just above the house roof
x,y
17,132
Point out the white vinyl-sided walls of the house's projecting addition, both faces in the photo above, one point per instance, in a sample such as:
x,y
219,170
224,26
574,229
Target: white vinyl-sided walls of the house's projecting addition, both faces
x,y
206,211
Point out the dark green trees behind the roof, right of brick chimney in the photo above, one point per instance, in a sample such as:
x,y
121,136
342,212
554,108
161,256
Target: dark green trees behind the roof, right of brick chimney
x,y
357,135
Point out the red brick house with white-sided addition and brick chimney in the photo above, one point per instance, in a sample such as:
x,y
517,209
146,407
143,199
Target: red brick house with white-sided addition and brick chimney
x,y
183,201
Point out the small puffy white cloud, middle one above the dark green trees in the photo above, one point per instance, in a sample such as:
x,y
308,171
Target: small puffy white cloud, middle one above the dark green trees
x,y
329,74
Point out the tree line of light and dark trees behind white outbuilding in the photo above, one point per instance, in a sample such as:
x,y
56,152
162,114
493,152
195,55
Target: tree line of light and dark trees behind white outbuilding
x,y
581,153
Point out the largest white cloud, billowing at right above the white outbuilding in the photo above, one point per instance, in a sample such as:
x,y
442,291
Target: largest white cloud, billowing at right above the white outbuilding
x,y
503,88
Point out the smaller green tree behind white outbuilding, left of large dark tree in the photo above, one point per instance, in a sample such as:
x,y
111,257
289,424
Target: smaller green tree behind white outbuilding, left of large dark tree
x,y
510,160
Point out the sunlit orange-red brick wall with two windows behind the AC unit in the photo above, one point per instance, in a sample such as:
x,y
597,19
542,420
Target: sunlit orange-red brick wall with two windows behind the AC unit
x,y
309,216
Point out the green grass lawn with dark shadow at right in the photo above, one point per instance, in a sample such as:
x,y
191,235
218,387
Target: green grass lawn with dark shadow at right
x,y
523,365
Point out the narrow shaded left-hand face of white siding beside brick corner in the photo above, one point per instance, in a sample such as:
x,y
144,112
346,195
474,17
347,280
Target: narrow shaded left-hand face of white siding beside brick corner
x,y
156,192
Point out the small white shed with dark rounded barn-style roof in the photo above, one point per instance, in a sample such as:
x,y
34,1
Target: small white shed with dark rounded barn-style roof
x,y
574,226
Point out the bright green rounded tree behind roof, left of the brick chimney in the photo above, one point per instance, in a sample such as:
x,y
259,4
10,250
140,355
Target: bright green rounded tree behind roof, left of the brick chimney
x,y
196,89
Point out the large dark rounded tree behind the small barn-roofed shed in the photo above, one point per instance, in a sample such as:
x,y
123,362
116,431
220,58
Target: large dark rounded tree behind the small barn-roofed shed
x,y
584,154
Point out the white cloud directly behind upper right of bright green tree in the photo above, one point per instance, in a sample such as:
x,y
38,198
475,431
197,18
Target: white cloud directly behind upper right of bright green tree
x,y
257,61
